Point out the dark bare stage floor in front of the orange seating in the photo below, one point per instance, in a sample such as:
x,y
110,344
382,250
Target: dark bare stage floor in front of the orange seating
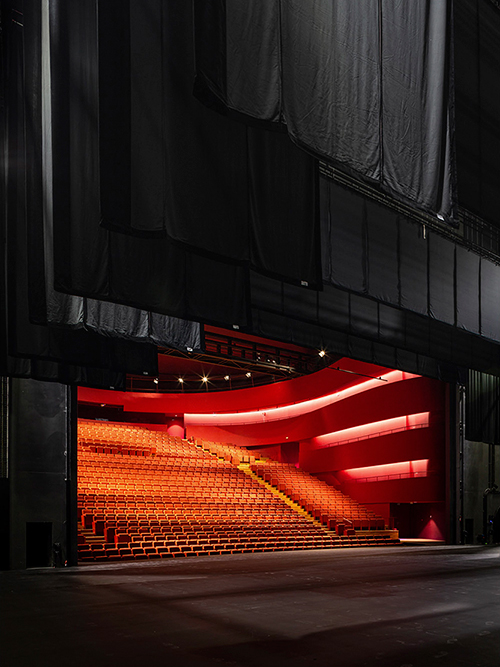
x,y
384,607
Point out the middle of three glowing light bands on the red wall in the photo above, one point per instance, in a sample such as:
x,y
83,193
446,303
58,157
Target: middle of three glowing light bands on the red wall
x,y
372,430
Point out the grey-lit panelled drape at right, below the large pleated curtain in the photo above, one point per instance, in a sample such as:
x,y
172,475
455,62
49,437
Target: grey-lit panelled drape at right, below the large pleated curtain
x,y
372,250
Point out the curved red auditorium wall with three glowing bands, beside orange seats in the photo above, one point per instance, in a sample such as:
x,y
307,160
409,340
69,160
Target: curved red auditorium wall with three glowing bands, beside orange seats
x,y
288,422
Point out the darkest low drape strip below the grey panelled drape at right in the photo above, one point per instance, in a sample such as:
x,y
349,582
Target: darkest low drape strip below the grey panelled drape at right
x,y
357,326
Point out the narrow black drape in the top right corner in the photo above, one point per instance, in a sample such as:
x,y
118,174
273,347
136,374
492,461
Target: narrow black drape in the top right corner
x,y
477,106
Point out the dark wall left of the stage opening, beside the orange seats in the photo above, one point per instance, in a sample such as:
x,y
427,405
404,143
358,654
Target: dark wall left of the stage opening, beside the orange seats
x,y
42,479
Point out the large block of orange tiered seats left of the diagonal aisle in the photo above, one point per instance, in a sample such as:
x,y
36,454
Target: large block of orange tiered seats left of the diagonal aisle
x,y
176,500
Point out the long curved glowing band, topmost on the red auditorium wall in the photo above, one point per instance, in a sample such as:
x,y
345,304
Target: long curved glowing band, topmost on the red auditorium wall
x,y
296,409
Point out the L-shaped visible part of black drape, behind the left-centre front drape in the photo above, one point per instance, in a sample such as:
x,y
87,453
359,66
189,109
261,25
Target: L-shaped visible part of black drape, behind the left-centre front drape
x,y
149,274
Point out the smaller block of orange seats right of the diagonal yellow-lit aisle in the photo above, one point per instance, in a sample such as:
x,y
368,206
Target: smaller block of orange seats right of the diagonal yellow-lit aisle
x,y
324,502
